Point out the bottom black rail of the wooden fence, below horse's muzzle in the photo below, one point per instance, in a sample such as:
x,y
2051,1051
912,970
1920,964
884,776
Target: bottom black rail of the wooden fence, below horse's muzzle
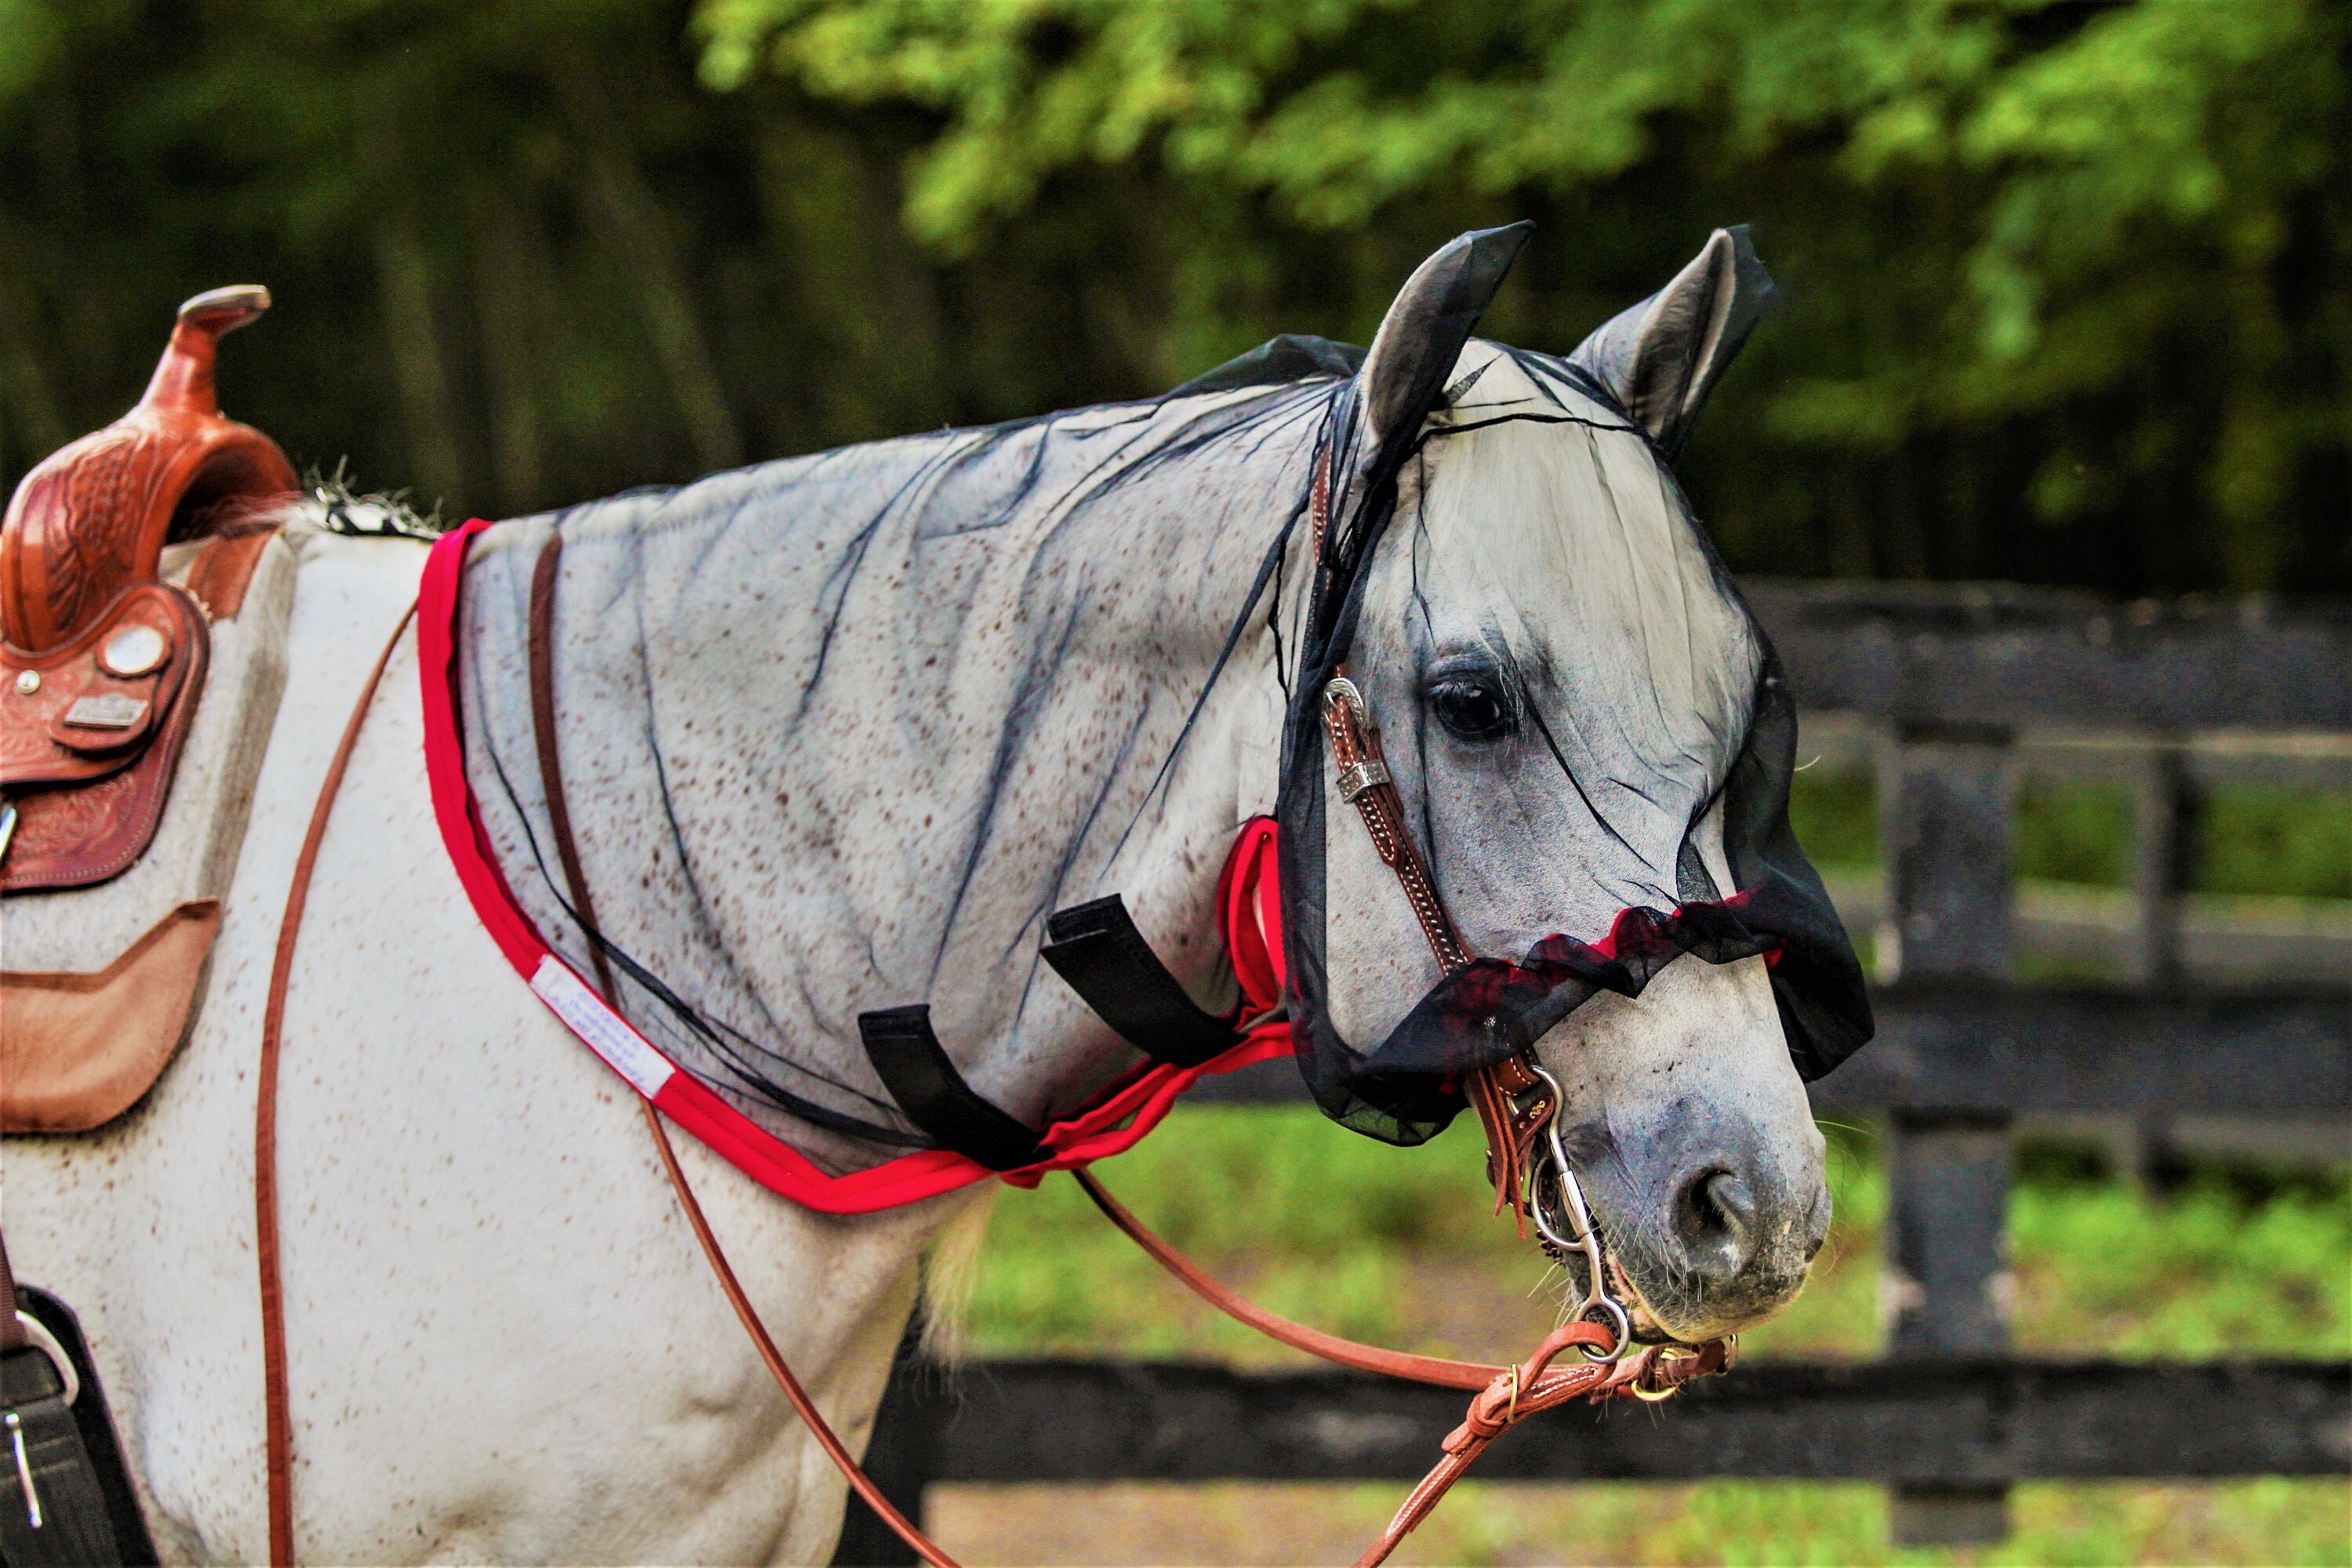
x,y
1930,1421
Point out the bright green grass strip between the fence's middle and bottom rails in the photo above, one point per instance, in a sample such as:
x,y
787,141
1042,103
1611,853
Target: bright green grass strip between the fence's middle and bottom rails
x,y
1349,1235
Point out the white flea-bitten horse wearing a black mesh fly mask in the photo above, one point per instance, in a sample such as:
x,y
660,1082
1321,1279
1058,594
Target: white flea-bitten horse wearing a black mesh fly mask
x,y
838,732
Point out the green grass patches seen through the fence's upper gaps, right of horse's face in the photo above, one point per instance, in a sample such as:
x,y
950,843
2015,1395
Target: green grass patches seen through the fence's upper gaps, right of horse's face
x,y
2250,840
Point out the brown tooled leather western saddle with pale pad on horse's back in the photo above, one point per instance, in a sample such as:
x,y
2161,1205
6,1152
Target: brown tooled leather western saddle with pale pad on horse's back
x,y
138,688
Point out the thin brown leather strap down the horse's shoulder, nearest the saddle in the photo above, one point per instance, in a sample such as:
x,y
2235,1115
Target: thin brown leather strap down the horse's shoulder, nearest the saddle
x,y
279,1456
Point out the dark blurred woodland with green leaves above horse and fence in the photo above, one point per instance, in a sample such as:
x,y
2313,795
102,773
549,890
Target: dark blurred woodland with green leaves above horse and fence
x,y
2066,288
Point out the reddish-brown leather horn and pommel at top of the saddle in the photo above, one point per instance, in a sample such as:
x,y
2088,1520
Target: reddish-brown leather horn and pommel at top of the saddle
x,y
93,518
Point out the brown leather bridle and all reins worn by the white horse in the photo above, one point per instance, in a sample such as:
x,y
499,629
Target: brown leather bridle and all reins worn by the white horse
x,y
1518,1106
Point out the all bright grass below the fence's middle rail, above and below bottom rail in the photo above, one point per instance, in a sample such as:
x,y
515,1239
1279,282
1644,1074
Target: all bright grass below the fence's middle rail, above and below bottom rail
x,y
1398,1247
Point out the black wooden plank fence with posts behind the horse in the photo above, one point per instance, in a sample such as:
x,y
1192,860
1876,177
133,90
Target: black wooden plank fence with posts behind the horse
x,y
1951,692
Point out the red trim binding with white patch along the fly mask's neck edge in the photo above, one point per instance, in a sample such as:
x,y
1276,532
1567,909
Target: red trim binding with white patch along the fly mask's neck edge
x,y
1250,923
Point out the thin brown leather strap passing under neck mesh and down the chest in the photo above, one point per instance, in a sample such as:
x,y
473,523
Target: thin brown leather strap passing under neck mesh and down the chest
x,y
542,652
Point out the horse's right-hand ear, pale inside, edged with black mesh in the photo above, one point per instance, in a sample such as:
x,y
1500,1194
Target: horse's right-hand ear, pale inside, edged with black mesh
x,y
1662,359
